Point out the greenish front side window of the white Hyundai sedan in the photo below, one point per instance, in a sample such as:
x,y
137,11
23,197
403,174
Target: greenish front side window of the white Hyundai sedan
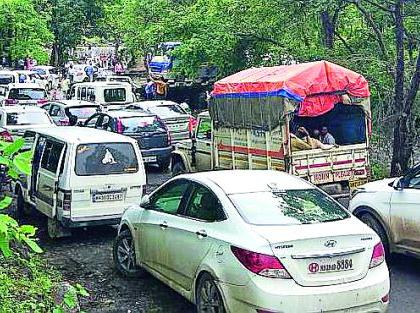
x,y
169,198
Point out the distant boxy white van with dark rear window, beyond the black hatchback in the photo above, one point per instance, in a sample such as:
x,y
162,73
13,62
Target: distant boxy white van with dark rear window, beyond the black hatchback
x,y
103,93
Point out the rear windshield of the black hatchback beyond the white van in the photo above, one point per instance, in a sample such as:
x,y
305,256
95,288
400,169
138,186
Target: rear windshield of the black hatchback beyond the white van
x,y
139,124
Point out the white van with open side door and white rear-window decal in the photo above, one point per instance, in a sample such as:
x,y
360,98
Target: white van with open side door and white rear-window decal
x,y
80,177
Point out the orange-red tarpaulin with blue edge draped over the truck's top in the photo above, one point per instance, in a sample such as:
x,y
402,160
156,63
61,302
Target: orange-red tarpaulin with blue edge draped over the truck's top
x,y
314,84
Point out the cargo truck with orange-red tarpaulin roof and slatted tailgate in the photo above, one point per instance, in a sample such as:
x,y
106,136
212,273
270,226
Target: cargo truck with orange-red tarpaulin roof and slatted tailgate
x,y
254,114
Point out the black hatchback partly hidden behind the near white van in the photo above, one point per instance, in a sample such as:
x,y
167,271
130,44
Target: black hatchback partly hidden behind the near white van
x,y
150,132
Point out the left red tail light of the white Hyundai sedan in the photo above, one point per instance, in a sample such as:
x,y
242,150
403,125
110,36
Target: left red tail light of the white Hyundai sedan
x,y
261,264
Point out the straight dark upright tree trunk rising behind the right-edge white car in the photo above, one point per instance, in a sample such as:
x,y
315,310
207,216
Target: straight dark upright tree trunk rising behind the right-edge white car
x,y
400,159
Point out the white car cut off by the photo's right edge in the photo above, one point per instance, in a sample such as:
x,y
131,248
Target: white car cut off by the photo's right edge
x,y
391,207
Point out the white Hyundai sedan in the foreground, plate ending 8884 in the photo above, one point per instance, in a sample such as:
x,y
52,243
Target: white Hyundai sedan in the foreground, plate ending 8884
x,y
254,241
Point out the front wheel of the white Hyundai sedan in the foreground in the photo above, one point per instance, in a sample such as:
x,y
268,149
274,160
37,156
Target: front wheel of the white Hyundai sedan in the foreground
x,y
124,255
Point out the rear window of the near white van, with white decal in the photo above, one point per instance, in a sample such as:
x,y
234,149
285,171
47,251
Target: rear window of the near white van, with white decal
x,y
105,159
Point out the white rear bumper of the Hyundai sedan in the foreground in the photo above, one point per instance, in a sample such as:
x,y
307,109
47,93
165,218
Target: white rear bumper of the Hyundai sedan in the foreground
x,y
280,295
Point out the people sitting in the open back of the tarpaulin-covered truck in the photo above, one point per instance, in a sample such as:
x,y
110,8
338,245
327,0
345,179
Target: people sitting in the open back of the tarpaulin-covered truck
x,y
320,139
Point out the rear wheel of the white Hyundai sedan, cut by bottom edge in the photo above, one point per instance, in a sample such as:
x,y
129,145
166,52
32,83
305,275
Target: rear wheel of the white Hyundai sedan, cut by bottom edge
x,y
208,296
